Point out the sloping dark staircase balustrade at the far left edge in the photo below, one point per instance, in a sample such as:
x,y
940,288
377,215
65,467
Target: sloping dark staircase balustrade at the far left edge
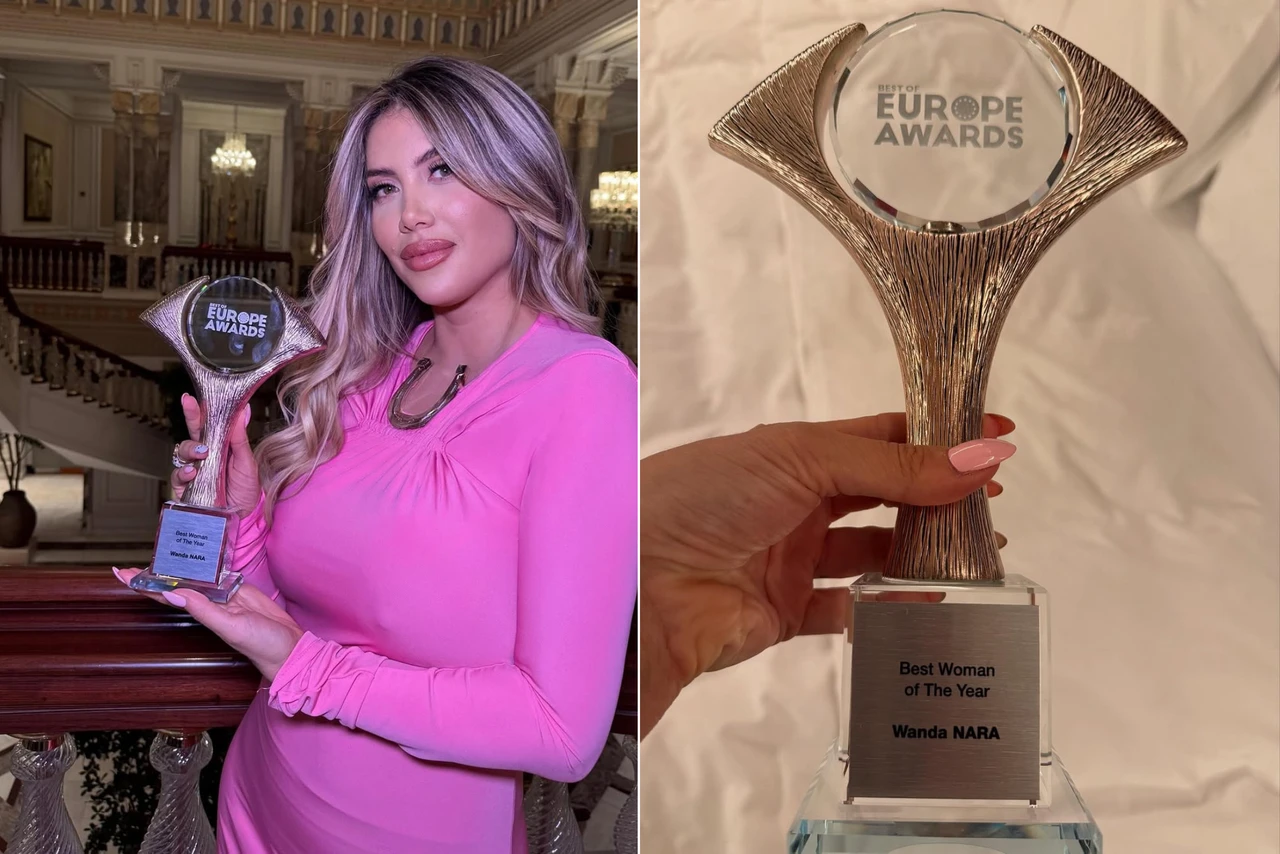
x,y
89,405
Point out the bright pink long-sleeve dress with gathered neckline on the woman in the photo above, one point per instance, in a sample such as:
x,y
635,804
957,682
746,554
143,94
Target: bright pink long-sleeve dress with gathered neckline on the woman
x,y
467,592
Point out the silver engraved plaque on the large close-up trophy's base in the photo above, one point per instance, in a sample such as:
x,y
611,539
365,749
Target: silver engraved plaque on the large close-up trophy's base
x,y
945,701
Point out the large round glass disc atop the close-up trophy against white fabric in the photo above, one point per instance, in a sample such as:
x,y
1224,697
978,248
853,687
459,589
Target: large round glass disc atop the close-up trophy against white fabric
x,y
947,122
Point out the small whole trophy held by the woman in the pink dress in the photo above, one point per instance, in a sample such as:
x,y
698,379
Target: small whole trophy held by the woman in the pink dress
x,y
232,335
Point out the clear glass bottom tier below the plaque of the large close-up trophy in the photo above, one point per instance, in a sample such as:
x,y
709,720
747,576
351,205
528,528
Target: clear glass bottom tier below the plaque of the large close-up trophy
x,y
828,825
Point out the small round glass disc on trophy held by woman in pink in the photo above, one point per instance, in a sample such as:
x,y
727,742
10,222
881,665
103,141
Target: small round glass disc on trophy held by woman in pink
x,y
235,325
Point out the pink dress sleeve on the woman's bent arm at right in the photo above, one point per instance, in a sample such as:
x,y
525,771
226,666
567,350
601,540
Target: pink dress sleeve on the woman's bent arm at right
x,y
548,711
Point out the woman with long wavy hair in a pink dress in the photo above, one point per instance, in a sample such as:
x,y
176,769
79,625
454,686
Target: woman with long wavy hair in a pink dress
x,y
441,545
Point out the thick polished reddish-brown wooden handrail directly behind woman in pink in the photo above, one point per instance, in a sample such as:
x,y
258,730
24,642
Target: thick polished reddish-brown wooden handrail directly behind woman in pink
x,y
80,652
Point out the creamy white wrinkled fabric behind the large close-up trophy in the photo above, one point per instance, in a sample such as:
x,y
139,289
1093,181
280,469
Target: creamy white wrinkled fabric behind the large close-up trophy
x,y
1140,360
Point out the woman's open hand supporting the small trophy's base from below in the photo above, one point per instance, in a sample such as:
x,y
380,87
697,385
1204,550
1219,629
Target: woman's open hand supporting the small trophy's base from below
x,y
250,623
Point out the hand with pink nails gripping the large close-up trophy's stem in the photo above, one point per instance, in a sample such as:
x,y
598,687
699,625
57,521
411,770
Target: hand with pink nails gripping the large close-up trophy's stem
x,y
734,532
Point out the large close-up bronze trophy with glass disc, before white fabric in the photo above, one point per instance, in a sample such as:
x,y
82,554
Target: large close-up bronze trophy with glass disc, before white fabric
x,y
947,152
